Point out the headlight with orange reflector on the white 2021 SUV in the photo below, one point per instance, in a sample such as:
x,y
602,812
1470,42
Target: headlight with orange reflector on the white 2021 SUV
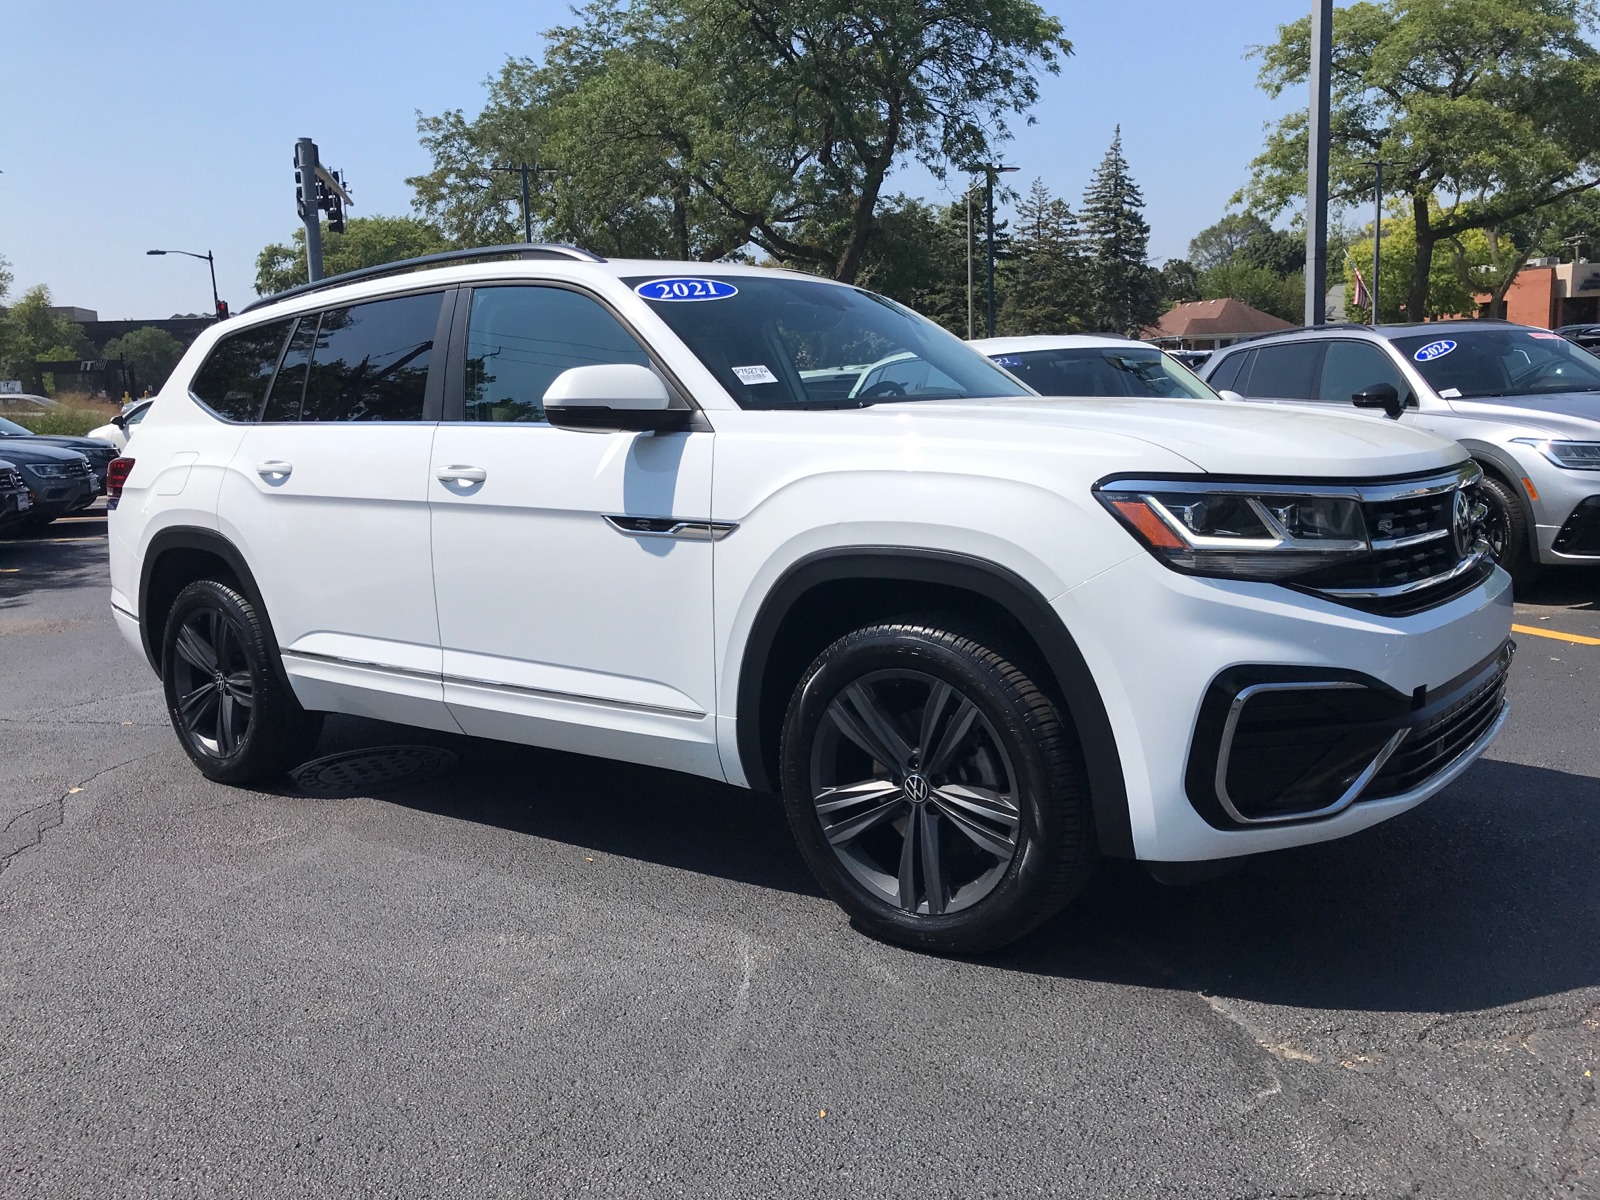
x,y
1266,532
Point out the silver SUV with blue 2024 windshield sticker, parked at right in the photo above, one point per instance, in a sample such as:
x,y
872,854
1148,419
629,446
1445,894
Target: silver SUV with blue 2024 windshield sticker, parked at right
x,y
1526,402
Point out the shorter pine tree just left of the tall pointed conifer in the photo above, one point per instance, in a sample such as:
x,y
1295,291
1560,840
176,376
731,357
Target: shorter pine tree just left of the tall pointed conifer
x,y
1046,279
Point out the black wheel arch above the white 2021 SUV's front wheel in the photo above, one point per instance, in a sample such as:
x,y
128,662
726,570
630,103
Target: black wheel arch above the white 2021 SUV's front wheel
x,y
770,668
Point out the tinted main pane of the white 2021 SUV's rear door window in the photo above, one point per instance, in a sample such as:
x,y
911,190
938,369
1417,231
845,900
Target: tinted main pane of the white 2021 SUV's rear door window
x,y
370,361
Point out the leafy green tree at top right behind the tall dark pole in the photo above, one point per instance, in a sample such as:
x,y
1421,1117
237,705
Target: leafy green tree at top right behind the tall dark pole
x,y
1484,110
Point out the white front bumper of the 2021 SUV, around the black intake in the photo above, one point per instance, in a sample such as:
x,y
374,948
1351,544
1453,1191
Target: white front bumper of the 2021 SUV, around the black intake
x,y
1158,642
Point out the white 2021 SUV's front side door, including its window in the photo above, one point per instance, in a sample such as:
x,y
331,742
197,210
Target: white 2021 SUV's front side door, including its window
x,y
572,569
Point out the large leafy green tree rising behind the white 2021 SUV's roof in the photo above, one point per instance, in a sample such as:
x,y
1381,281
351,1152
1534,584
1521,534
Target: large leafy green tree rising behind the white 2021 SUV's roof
x,y
695,129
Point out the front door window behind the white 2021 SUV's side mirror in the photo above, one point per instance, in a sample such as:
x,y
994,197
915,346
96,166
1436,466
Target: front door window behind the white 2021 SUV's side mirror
x,y
521,338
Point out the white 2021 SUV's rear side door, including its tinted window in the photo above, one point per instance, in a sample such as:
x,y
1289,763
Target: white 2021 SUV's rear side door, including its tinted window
x,y
327,498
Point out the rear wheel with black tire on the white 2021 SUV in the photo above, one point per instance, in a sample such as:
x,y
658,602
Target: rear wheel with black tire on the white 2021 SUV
x,y
225,694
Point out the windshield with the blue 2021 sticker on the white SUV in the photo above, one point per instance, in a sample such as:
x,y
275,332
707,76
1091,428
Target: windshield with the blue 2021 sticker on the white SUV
x,y
788,343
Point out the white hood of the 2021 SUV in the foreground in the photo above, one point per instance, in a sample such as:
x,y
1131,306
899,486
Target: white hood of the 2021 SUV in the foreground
x,y
1222,438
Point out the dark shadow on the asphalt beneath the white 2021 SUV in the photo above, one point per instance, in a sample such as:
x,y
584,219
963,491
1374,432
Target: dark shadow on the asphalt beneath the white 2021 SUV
x,y
1484,897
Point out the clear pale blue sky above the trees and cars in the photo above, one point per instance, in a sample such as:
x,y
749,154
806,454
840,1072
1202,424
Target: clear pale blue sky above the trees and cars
x,y
135,127
